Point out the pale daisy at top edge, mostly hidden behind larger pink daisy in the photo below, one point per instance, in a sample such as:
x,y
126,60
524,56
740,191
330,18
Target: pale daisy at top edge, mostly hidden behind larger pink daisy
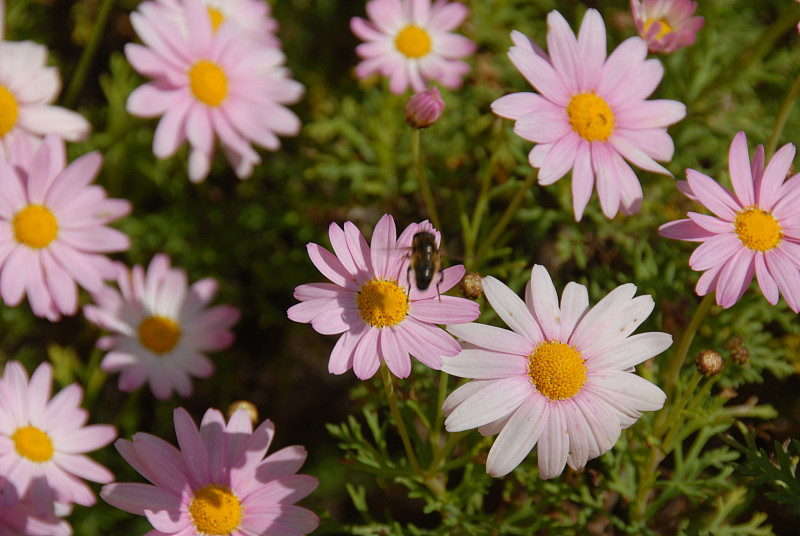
x,y
251,17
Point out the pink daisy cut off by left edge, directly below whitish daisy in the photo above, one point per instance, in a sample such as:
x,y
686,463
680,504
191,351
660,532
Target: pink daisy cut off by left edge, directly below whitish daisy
x,y
53,227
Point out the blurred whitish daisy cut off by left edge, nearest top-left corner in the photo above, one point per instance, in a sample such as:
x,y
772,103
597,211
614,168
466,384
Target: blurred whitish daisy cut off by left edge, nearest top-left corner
x,y
28,88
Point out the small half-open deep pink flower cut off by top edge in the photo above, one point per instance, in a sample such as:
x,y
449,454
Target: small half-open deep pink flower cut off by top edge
x,y
666,25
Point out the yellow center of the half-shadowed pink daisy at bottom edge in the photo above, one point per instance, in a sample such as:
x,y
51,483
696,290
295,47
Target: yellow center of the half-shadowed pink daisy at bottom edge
x,y
215,510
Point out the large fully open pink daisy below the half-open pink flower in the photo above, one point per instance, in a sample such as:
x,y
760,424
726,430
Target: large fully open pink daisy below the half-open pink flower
x,y
590,114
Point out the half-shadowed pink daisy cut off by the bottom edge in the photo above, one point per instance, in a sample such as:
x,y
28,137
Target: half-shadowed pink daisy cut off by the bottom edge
x,y
218,483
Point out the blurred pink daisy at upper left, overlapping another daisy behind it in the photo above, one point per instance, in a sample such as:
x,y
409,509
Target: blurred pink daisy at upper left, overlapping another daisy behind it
x,y
209,83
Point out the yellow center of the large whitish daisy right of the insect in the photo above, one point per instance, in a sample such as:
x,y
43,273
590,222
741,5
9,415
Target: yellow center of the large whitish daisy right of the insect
x,y
557,370
